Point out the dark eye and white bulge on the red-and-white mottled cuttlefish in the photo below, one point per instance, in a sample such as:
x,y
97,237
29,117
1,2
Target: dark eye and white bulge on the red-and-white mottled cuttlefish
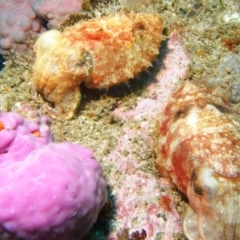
x,y
204,182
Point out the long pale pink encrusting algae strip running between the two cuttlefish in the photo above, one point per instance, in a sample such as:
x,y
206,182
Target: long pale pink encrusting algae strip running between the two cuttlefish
x,y
139,194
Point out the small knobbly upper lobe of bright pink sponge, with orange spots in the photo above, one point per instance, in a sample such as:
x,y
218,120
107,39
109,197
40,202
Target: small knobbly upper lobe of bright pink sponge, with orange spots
x,y
18,137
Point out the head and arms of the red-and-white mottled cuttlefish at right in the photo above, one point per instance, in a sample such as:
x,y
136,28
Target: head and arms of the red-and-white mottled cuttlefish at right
x,y
216,202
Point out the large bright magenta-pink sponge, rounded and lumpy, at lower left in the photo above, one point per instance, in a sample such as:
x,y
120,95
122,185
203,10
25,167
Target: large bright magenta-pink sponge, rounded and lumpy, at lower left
x,y
48,190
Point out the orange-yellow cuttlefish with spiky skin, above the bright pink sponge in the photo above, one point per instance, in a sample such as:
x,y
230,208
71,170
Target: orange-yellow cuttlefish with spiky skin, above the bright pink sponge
x,y
101,52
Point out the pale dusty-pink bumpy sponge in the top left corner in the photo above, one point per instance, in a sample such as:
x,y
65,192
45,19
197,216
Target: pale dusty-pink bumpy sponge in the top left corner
x,y
18,17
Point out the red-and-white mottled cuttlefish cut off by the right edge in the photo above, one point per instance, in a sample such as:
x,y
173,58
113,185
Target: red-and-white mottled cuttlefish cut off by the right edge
x,y
200,148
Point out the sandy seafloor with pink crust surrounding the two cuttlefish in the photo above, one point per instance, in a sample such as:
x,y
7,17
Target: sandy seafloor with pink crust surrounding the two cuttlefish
x,y
120,124
